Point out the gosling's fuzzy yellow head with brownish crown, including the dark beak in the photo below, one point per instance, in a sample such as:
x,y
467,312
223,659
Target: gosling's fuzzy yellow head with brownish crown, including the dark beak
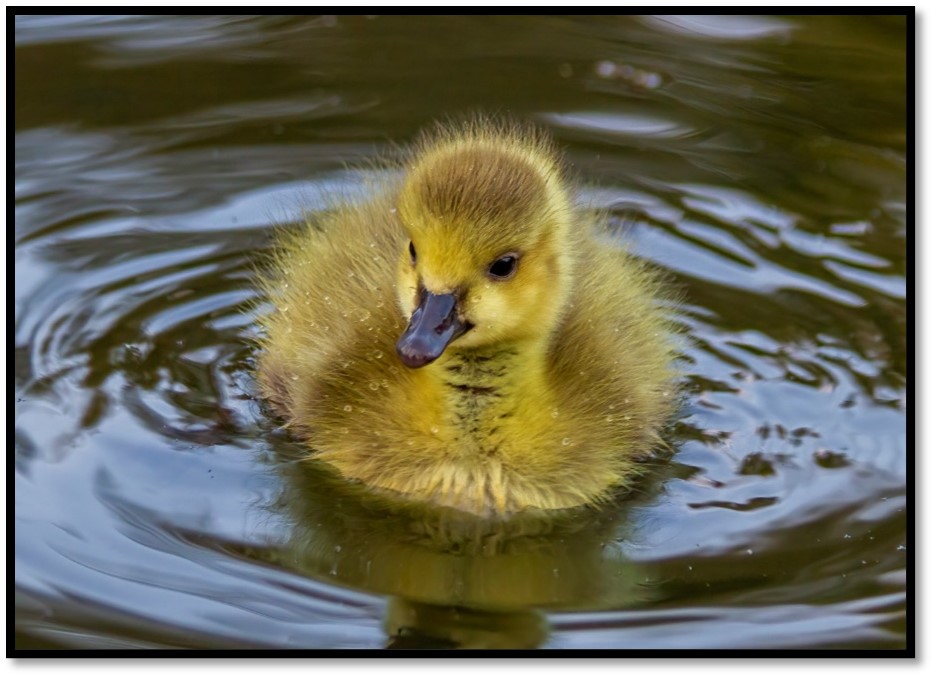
x,y
487,257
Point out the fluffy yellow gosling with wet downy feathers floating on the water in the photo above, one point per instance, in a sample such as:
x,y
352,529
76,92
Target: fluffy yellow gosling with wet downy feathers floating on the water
x,y
467,337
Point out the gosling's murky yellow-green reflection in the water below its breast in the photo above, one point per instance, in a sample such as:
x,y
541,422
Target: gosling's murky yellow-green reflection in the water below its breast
x,y
456,577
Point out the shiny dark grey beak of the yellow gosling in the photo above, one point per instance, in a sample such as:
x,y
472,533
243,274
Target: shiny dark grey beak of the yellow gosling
x,y
434,324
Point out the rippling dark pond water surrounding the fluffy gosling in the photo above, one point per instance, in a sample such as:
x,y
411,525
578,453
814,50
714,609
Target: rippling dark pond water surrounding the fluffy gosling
x,y
759,161
